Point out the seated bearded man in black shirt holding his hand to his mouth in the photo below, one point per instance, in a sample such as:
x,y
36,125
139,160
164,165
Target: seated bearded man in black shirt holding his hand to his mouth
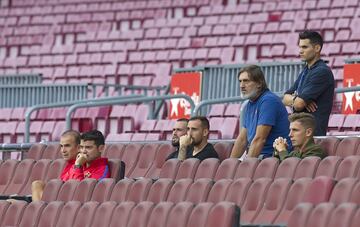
x,y
194,144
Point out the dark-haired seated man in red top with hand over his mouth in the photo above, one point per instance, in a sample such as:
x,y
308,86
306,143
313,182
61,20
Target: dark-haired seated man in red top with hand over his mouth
x,y
89,163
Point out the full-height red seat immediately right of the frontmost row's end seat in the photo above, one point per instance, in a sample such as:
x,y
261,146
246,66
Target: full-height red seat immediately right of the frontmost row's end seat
x,y
254,200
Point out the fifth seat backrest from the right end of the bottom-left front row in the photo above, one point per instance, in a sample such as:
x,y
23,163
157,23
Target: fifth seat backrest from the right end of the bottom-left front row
x,y
140,214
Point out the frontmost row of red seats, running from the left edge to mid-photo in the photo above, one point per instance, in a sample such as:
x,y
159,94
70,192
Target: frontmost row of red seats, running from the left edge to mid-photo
x,y
112,214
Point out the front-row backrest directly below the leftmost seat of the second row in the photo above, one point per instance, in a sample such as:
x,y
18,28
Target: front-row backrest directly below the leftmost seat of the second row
x,y
50,214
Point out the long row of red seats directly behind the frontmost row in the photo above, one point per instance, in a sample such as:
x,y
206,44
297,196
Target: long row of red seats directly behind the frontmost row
x,y
262,200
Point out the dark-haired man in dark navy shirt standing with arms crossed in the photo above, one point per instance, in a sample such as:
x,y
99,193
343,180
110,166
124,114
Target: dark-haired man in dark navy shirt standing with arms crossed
x,y
313,91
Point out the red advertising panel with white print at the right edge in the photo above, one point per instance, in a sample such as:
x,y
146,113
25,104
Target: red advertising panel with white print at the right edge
x,y
351,100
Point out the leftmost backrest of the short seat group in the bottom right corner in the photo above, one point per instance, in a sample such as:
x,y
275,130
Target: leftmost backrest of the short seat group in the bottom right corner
x,y
300,215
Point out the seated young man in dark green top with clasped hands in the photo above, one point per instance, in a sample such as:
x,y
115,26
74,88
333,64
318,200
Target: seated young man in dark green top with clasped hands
x,y
302,127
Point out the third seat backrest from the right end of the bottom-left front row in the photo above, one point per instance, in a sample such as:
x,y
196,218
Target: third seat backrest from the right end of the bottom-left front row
x,y
179,214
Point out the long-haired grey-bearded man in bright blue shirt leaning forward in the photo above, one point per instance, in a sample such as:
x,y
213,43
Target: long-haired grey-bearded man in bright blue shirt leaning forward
x,y
265,117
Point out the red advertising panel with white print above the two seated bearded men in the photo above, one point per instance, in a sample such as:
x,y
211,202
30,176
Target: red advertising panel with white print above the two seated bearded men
x,y
188,84
